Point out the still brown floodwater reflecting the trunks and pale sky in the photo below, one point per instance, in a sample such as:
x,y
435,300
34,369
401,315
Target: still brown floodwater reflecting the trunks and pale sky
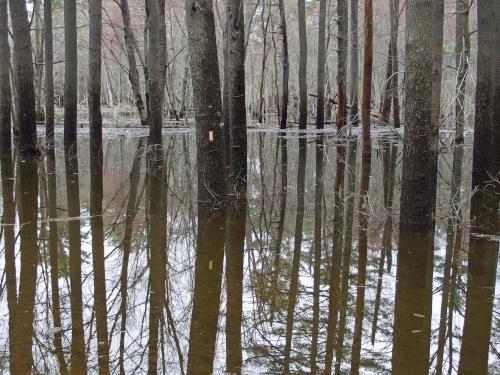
x,y
309,272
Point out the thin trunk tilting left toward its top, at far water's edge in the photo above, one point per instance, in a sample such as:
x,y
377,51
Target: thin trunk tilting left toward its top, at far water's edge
x,y
133,74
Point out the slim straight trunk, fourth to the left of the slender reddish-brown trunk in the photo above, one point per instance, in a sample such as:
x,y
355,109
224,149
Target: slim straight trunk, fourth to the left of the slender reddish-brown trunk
x,y
302,65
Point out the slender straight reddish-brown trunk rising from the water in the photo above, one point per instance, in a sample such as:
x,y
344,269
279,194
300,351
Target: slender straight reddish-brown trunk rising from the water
x,y
367,75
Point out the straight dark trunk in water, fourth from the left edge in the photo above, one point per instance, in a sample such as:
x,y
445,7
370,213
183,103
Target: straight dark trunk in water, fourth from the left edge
x,y
70,73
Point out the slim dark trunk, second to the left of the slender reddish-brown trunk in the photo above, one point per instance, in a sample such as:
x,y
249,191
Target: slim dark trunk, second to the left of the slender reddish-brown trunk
x,y
343,27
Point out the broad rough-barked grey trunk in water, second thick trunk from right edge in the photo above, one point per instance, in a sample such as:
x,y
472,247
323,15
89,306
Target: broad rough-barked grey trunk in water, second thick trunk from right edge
x,y
418,193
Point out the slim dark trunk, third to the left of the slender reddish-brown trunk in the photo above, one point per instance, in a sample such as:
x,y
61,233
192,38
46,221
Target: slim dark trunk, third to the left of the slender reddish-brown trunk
x,y
320,109
